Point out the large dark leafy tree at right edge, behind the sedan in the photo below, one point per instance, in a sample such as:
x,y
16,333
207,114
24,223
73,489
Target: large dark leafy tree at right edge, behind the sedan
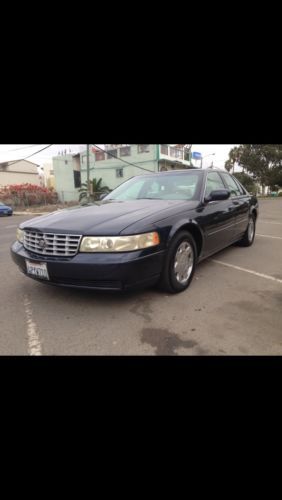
x,y
262,161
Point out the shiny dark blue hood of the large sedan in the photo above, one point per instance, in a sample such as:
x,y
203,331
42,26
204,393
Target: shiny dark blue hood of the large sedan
x,y
105,218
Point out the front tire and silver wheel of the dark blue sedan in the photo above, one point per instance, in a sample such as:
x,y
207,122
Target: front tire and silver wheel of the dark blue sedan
x,y
180,263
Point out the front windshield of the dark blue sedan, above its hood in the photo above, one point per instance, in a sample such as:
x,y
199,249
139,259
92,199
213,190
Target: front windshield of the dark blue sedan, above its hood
x,y
178,186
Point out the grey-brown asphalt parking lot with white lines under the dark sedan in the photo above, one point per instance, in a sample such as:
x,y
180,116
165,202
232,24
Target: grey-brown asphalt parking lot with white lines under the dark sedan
x,y
233,307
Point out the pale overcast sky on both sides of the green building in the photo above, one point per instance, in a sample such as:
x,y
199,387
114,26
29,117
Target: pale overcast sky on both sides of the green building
x,y
10,152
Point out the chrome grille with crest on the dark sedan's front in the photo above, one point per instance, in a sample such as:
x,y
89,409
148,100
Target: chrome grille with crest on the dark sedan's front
x,y
64,245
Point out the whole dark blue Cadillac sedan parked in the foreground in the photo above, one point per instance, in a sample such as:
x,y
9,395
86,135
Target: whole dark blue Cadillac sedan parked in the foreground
x,y
152,229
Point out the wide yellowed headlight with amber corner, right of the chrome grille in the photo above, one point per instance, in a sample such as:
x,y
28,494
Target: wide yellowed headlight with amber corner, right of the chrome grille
x,y
119,243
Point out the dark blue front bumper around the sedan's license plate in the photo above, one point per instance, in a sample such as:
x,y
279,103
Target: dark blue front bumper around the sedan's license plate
x,y
98,271
